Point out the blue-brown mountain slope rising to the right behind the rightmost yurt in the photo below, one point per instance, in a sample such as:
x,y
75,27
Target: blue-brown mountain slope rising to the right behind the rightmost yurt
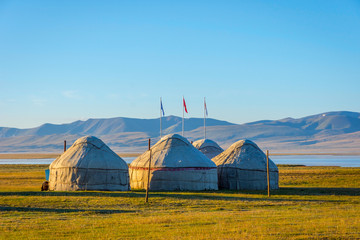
x,y
326,132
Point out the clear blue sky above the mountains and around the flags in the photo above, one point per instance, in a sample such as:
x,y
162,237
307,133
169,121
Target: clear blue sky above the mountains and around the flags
x,y
62,61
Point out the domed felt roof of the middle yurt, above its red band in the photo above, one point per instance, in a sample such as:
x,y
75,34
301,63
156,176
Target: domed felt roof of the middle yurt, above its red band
x,y
173,151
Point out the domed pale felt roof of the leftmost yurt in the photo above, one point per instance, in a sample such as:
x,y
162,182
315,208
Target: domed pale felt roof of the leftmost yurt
x,y
89,152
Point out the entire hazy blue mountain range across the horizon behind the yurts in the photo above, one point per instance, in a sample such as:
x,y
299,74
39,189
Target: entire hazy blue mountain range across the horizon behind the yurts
x,y
326,132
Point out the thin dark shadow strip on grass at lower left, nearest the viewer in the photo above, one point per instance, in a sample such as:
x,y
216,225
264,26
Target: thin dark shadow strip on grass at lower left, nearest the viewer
x,y
60,210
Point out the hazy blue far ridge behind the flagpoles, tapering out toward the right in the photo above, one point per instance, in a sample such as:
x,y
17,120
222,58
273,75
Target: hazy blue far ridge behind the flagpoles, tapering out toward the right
x,y
100,127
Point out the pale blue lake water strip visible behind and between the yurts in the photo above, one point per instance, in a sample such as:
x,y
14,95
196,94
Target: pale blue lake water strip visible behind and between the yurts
x,y
307,160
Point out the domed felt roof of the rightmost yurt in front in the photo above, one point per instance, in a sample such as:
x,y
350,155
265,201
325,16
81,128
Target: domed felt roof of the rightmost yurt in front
x,y
244,154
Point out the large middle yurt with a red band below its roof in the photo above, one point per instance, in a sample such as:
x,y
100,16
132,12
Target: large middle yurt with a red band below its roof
x,y
175,165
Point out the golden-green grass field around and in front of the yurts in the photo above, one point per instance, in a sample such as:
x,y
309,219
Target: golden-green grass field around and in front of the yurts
x,y
313,202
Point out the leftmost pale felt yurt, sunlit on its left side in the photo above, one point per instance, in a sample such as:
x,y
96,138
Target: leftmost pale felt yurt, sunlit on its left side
x,y
89,164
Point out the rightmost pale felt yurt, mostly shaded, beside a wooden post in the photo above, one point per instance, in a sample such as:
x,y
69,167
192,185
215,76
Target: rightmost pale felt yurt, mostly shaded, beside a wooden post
x,y
243,167
